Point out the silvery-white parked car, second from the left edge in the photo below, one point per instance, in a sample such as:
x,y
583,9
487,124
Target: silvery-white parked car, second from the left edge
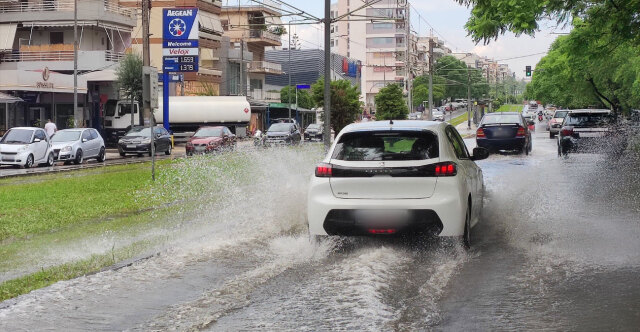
x,y
77,145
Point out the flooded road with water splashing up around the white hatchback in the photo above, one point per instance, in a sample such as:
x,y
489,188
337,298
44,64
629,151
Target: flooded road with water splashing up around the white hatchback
x,y
558,249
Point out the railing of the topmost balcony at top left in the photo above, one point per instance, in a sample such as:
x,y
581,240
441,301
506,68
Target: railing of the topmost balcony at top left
x,y
62,5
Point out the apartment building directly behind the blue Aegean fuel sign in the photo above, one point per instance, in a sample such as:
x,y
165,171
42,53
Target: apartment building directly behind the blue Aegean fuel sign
x,y
210,31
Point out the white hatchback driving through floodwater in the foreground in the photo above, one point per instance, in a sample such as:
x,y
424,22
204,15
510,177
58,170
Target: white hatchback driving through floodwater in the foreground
x,y
397,178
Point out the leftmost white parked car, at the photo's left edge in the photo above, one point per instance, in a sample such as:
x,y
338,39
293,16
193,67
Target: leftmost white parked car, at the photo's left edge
x,y
26,146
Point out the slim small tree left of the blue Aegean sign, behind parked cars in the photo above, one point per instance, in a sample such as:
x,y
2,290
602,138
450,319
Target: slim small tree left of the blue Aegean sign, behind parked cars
x,y
129,79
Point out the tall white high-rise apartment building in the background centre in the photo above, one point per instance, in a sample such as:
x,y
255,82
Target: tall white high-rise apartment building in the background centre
x,y
381,44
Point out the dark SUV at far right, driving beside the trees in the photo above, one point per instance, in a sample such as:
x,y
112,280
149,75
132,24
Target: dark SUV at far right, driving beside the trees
x,y
591,130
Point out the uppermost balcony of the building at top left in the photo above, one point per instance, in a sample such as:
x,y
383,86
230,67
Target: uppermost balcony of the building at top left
x,y
62,10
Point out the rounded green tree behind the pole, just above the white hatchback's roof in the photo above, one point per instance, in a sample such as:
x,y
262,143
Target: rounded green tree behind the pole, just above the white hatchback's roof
x,y
345,102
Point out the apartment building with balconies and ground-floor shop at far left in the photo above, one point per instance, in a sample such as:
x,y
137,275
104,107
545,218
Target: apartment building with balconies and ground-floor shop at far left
x,y
37,53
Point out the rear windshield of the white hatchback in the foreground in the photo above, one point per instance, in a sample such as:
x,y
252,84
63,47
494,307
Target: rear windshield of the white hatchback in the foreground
x,y
387,145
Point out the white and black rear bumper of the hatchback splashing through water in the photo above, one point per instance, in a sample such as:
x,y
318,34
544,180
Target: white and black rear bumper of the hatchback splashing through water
x,y
442,214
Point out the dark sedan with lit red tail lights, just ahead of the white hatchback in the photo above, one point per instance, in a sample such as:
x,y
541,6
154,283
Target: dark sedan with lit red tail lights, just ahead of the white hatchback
x,y
504,131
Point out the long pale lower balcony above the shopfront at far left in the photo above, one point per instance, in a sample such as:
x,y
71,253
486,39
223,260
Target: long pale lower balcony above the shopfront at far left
x,y
59,60
